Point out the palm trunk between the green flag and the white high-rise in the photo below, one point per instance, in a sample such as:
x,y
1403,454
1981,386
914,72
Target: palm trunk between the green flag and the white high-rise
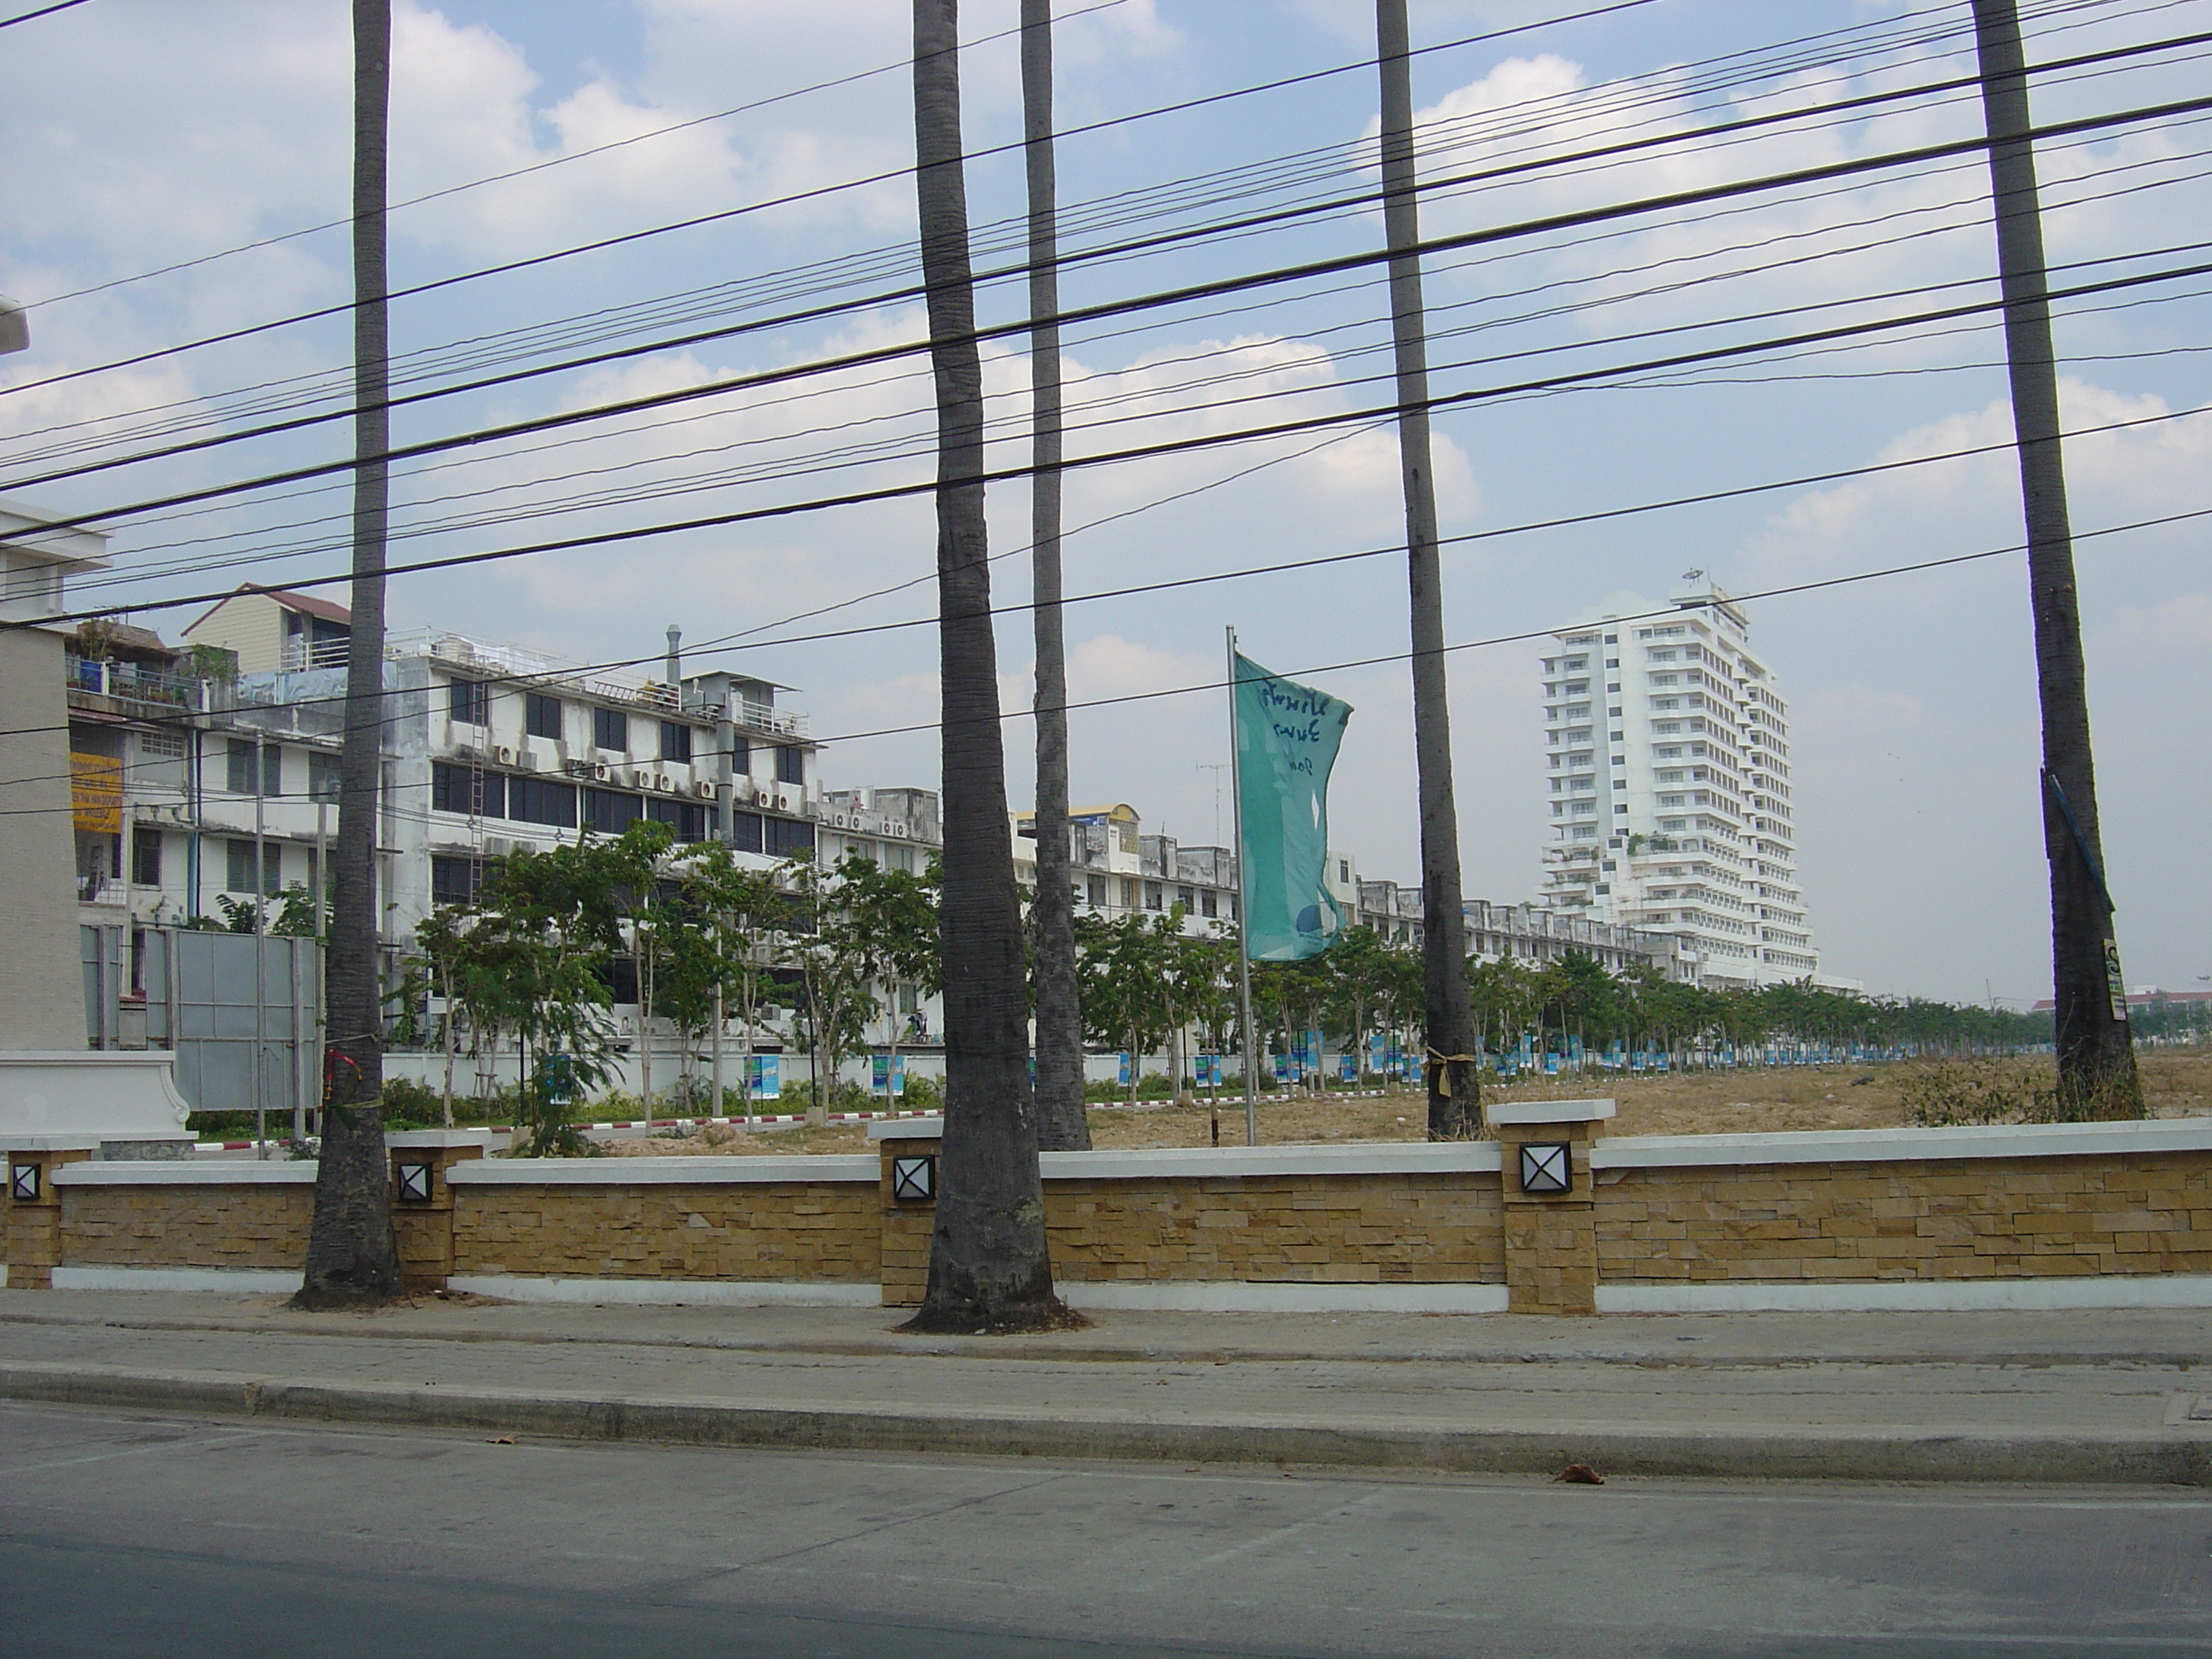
x,y
1454,1109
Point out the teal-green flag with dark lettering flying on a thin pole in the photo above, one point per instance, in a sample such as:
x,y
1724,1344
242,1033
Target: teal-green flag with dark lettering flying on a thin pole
x,y
1286,744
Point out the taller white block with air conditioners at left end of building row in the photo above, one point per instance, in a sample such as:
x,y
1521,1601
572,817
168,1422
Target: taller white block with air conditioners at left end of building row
x,y
200,780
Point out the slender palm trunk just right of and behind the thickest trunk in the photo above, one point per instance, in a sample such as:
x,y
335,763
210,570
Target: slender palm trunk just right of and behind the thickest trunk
x,y
1063,1123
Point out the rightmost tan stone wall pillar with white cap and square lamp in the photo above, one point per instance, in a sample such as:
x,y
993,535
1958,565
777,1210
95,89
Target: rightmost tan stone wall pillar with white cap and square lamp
x,y
1552,1229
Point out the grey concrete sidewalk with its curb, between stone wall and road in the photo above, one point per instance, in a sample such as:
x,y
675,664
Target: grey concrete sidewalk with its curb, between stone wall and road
x,y
2069,1397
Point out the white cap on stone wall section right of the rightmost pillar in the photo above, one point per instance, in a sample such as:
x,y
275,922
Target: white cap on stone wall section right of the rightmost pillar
x,y
1897,1145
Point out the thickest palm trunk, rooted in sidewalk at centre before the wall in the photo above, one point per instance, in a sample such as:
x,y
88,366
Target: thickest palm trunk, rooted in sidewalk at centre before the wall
x,y
988,1255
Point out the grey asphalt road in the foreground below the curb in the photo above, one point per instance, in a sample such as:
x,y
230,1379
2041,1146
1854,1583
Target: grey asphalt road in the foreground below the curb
x,y
165,1536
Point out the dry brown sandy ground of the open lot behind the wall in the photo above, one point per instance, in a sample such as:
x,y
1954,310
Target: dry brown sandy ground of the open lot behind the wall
x,y
2176,1083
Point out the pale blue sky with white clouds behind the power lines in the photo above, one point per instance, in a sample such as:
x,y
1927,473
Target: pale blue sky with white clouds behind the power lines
x,y
158,163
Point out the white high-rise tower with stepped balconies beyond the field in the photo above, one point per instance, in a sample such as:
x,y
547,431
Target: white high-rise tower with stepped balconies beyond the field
x,y
1669,782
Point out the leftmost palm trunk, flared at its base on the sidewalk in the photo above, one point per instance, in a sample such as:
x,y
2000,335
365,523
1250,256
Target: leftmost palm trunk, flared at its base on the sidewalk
x,y
353,1258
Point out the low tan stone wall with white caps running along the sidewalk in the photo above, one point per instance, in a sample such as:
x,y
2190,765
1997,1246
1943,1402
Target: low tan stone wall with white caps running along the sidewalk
x,y
1963,1218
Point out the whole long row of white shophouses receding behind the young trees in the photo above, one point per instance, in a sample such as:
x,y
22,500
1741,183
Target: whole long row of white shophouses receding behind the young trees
x,y
207,780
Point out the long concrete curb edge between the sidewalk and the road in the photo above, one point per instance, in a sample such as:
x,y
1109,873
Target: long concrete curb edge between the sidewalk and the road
x,y
2169,1459
